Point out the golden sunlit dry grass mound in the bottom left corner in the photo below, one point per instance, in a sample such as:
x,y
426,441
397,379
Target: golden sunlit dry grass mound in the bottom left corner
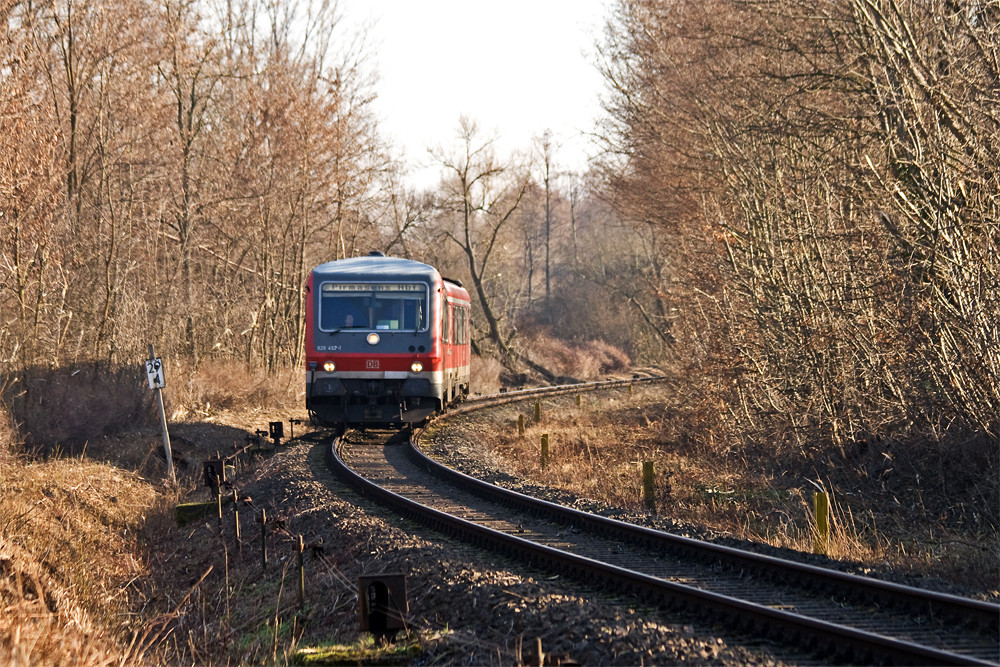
x,y
59,520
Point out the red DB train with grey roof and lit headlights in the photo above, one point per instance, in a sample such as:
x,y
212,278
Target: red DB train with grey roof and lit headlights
x,y
387,342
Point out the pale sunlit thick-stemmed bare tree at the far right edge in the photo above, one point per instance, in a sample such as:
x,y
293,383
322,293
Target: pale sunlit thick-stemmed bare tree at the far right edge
x,y
928,74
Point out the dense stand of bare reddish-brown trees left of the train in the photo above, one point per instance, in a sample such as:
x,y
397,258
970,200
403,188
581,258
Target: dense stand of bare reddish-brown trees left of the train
x,y
204,162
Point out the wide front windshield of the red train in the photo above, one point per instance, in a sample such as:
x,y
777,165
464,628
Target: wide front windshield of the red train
x,y
373,306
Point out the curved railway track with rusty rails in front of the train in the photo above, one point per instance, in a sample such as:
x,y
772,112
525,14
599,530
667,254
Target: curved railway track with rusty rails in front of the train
x,y
839,616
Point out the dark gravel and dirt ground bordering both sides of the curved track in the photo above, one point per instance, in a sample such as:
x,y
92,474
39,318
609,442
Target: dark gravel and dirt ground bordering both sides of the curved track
x,y
215,602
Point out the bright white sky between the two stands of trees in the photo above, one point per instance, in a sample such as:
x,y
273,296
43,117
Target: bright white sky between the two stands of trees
x,y
517,67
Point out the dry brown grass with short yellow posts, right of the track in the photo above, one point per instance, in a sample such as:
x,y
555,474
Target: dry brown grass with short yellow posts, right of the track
x,y
597,450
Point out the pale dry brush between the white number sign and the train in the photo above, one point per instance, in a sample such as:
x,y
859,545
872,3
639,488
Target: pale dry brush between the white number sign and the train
x,y
226,384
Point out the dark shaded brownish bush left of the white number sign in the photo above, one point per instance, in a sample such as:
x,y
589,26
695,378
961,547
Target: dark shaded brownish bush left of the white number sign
x,y
66,407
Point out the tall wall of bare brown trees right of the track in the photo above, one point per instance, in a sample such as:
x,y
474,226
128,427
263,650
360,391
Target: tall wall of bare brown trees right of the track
x,y
836,158
